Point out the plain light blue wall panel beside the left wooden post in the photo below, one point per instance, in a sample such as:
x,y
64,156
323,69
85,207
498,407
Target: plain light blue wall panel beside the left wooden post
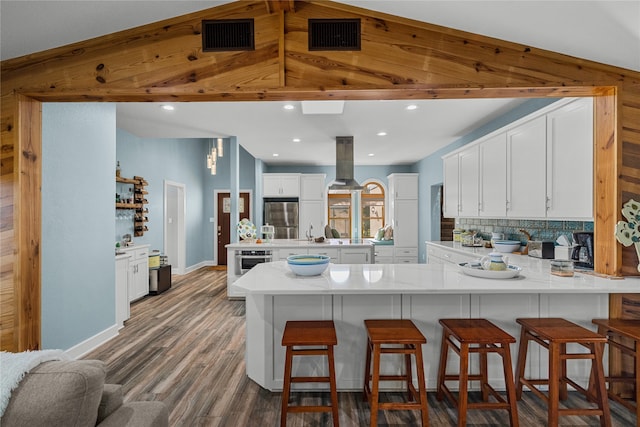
x,y
78,266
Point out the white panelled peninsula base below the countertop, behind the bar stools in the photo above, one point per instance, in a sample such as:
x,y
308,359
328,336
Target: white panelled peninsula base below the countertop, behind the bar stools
x,y
267,315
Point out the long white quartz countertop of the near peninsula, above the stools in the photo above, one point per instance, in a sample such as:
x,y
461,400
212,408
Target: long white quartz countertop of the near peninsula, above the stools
x,y
275,278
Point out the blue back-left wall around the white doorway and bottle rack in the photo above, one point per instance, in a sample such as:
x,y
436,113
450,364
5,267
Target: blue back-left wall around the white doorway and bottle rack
x,y
182,161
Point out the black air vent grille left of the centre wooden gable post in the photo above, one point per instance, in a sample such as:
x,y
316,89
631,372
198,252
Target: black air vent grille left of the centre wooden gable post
x,y
230,34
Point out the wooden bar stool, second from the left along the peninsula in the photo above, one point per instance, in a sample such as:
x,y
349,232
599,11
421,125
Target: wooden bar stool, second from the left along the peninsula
x,y
394,332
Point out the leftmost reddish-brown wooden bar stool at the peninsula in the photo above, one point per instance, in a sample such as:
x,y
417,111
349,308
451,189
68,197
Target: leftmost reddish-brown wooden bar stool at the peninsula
x,y
309,333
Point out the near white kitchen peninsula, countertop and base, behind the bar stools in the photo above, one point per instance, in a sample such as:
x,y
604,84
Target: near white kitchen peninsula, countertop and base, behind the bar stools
x,y
350,293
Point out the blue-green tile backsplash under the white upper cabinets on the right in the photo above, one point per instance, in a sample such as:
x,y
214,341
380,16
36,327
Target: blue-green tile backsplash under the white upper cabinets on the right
x,y
539,229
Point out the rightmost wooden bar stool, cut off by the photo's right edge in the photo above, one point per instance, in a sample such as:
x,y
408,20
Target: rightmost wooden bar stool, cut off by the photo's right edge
x,y
624,335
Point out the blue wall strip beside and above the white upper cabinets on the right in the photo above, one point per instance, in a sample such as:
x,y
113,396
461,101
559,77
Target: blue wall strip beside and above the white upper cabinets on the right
x,y
431,171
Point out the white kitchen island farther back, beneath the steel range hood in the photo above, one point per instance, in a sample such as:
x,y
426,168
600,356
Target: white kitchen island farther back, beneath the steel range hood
x,y
339,250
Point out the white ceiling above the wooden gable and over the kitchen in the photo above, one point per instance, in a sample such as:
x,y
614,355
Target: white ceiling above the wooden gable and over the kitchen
x,y
603,31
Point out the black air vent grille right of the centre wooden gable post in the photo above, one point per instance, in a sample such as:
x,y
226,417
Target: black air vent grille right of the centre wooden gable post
x,y
334,34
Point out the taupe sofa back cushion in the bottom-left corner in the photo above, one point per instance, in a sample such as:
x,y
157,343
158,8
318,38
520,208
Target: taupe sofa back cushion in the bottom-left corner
x,y
58,393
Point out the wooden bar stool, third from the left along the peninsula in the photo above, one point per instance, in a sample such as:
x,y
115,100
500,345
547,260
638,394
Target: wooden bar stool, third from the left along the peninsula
x,y
485,337
